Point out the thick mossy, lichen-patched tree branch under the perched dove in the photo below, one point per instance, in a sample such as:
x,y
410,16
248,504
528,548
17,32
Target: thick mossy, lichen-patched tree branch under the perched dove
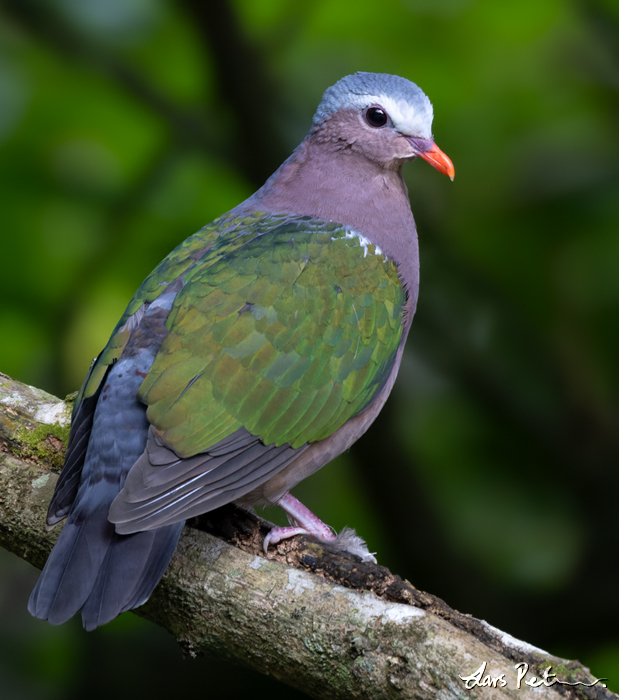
x,y
309,616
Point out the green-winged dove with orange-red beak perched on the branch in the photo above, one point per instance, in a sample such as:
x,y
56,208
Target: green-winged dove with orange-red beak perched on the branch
x,y
259,350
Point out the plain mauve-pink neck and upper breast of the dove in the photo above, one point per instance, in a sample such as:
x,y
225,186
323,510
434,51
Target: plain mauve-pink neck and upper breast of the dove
x,y
327,177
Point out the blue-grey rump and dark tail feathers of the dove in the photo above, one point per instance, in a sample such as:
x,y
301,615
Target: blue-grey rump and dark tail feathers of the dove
x,y
92,568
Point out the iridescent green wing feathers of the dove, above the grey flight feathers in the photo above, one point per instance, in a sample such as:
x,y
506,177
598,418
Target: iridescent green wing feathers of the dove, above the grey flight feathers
x,y
285,326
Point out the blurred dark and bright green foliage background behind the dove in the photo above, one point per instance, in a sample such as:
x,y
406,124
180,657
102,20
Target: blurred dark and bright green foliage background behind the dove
x,y
490,479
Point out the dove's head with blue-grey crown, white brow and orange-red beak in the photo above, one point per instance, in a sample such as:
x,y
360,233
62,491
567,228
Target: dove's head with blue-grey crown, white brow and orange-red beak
x,y
384,117
